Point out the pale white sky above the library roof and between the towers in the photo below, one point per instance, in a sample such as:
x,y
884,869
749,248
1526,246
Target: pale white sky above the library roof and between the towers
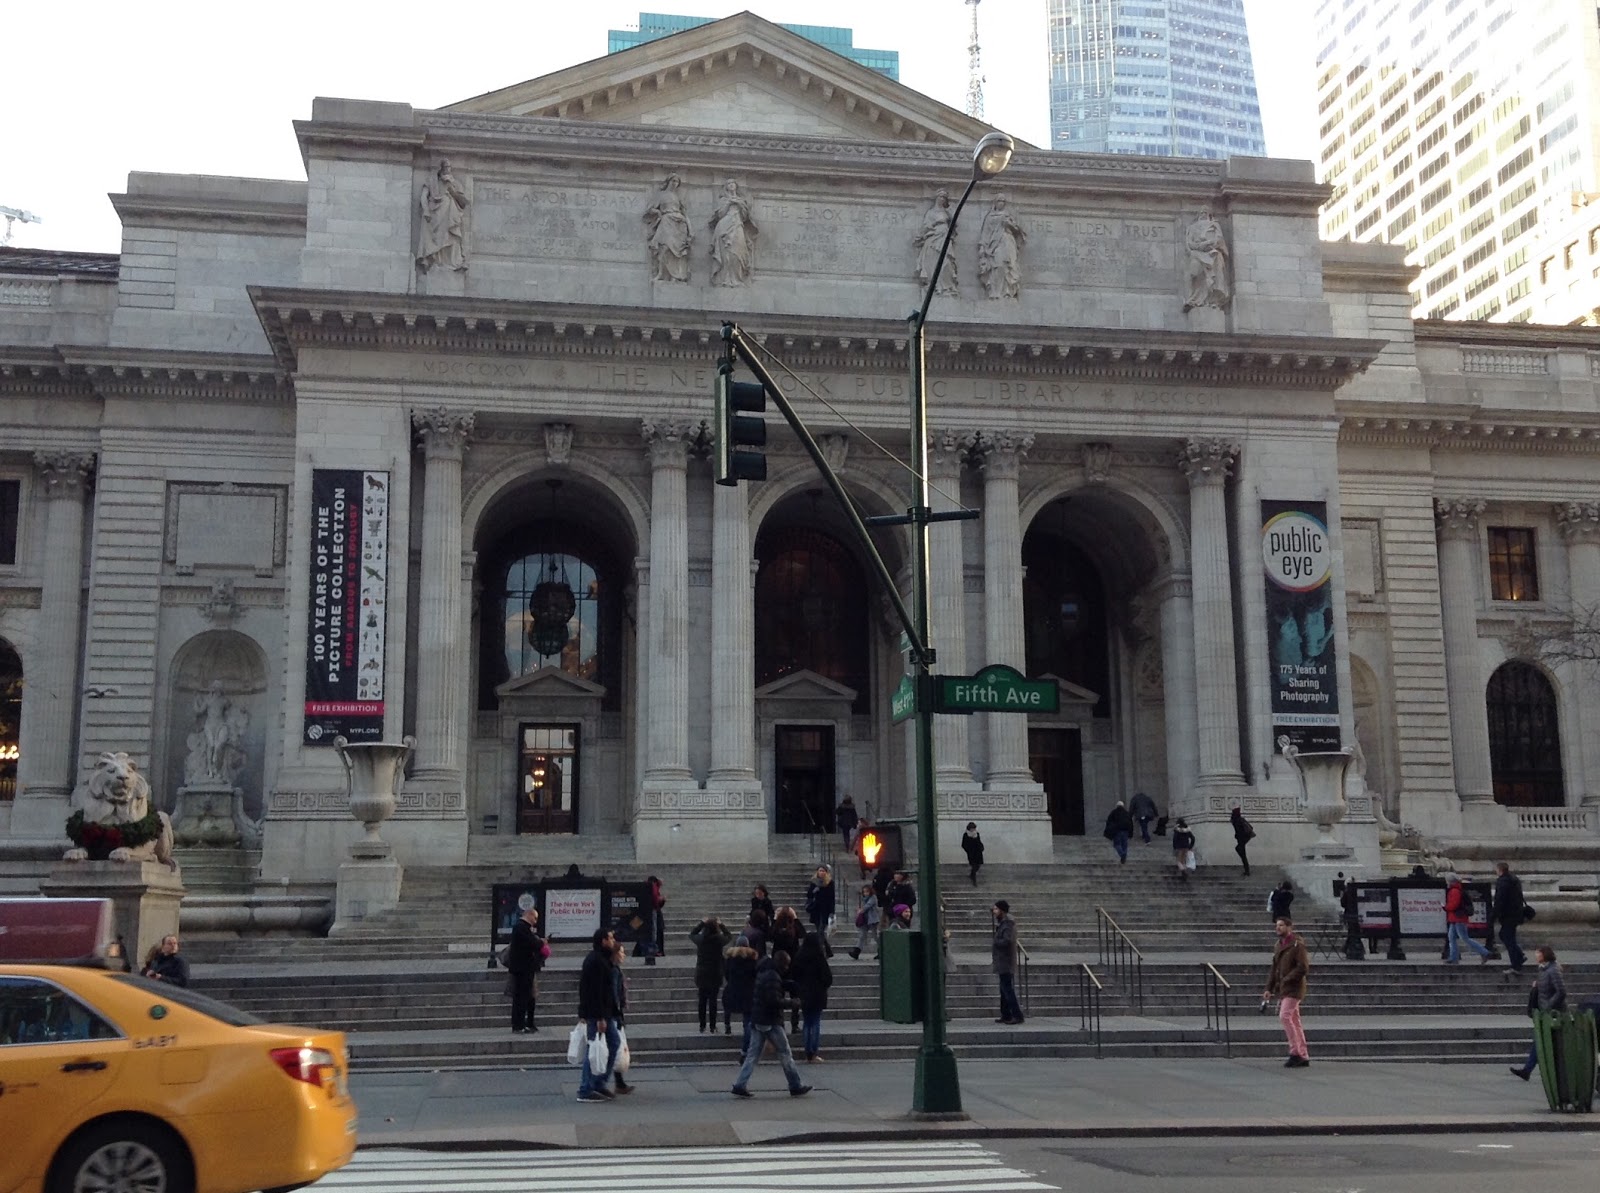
x,y
97,89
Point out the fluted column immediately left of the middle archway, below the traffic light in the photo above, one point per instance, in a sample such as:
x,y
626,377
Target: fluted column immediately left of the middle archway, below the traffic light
x,y
734,644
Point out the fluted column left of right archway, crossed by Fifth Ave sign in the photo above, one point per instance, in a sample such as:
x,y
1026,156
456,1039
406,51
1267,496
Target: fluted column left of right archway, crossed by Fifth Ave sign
x,y
1001,455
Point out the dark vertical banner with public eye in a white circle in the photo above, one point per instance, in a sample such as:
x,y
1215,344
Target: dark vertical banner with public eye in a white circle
x,y
1298,561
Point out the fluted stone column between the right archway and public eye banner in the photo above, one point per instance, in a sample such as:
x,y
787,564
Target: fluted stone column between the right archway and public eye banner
x,y
1207,465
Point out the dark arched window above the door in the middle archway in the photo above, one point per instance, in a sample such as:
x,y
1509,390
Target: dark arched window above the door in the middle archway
x,y
810,612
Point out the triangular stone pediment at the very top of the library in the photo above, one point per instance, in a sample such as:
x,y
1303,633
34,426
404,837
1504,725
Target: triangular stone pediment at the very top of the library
x,y
742,74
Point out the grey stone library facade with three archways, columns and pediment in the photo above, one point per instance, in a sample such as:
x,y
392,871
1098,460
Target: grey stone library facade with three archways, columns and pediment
x,y
418,447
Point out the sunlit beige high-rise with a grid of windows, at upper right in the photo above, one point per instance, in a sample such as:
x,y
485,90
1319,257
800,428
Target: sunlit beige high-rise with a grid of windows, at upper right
x,y
1470,134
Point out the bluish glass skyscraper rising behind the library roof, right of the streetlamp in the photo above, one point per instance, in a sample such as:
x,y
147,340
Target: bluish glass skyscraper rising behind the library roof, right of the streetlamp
x,y
1164,79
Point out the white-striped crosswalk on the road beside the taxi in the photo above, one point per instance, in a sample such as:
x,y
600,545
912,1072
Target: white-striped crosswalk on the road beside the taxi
x,y
860,1168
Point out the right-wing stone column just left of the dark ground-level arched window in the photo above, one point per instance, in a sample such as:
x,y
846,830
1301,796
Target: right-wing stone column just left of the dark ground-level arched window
x,y
1458,599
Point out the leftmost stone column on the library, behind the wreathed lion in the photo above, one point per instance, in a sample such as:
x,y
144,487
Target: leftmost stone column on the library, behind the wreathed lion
x,y
54,669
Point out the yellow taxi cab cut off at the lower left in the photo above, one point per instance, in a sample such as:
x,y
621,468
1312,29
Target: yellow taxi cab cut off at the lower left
x,y
111,1082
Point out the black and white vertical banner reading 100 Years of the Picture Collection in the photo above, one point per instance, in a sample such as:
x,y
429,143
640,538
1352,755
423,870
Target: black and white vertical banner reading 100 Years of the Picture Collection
x,y
346,612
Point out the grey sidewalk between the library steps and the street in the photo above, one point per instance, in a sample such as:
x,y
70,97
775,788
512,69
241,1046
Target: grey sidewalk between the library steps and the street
x,y
690,1106
